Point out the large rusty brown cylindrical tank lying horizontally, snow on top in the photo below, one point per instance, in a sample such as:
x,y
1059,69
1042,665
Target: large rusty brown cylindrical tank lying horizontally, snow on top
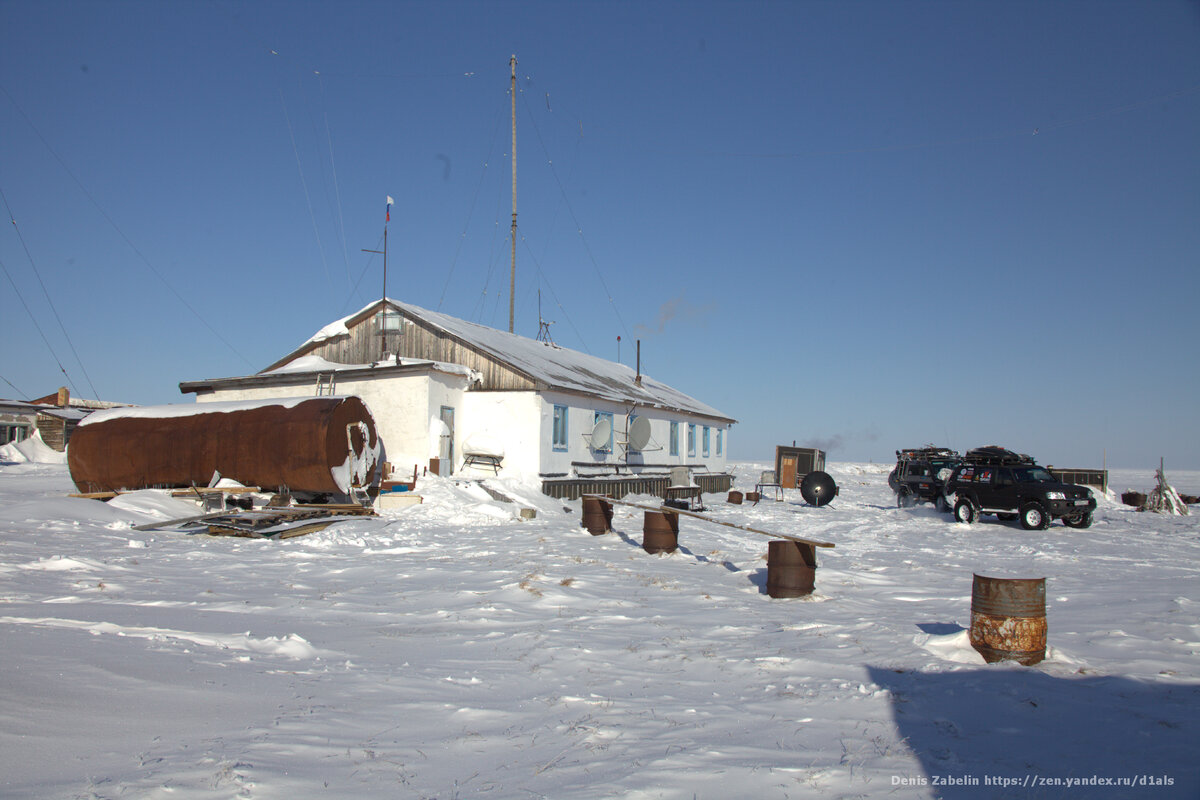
x,y
321,446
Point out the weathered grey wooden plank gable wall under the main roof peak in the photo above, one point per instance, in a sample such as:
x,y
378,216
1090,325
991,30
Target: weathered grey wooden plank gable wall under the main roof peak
x,y
419,341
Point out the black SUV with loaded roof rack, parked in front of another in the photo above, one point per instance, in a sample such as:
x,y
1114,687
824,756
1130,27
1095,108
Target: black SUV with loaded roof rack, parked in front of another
x,y
1012,486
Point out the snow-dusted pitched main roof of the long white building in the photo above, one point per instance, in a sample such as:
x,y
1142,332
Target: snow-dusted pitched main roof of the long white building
x,y
551,366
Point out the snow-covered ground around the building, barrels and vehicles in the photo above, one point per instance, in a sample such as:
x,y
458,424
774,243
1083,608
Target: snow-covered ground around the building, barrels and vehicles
x,y
452,651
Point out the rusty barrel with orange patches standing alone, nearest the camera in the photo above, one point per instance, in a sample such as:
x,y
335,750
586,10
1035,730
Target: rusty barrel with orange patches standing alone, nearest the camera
x,y
1009,619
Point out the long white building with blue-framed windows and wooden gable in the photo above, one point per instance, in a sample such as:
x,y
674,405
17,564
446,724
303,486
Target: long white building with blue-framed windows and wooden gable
x,y
466,395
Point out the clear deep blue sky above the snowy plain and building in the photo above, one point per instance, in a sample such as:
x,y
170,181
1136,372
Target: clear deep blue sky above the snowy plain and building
x,y
863,226
